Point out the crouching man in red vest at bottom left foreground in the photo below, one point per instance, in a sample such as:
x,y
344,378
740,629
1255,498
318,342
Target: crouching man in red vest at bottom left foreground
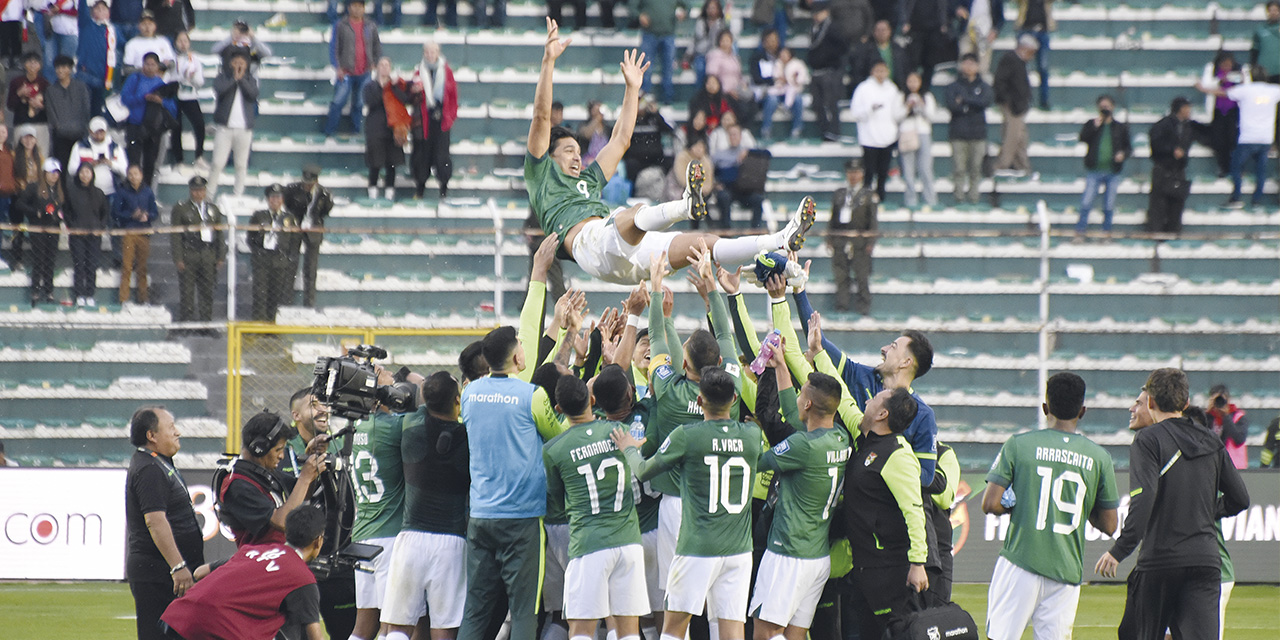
x,y
262,592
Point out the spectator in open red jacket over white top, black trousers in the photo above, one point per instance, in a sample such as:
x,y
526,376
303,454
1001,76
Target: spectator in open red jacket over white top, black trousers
x,y
436,109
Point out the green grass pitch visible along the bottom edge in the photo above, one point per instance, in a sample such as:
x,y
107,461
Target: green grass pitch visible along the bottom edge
x,y
106,611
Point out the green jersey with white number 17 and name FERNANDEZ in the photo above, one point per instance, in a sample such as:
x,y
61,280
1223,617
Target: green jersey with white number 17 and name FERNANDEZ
x,y
589,476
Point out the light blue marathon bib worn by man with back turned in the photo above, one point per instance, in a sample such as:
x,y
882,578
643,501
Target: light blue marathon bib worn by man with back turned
x,y
509,479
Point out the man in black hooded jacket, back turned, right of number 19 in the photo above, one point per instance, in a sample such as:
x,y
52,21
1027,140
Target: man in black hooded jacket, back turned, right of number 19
x,y
1178,469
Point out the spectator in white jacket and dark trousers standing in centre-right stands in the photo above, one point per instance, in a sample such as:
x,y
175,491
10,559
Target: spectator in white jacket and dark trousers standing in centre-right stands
x,y
879,108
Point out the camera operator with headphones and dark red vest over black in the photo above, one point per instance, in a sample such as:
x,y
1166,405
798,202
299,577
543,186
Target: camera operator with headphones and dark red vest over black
x,y
253,499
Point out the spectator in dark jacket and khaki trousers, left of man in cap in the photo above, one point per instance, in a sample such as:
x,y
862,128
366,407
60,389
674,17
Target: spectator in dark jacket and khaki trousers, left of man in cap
x,y
968,99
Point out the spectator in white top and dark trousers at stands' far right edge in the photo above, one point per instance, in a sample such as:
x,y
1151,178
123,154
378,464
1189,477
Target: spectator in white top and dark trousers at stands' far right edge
x,y
1258,100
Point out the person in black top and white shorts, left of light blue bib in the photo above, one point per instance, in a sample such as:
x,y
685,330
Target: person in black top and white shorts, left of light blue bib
x,y
429,559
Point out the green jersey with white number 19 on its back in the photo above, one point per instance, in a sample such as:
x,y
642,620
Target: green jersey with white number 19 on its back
x,y
1058,479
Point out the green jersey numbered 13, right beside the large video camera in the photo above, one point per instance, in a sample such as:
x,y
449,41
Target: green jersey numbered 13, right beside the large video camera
x,y
380,476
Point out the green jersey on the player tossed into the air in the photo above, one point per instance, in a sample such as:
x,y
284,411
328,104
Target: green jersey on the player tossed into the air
x,y
560,200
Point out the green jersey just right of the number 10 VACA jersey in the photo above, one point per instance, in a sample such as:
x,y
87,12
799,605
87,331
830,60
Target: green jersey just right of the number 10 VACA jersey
x,y
812,467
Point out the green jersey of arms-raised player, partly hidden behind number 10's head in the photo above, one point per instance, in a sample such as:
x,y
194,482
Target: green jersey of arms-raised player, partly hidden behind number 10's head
x,y
676,405
